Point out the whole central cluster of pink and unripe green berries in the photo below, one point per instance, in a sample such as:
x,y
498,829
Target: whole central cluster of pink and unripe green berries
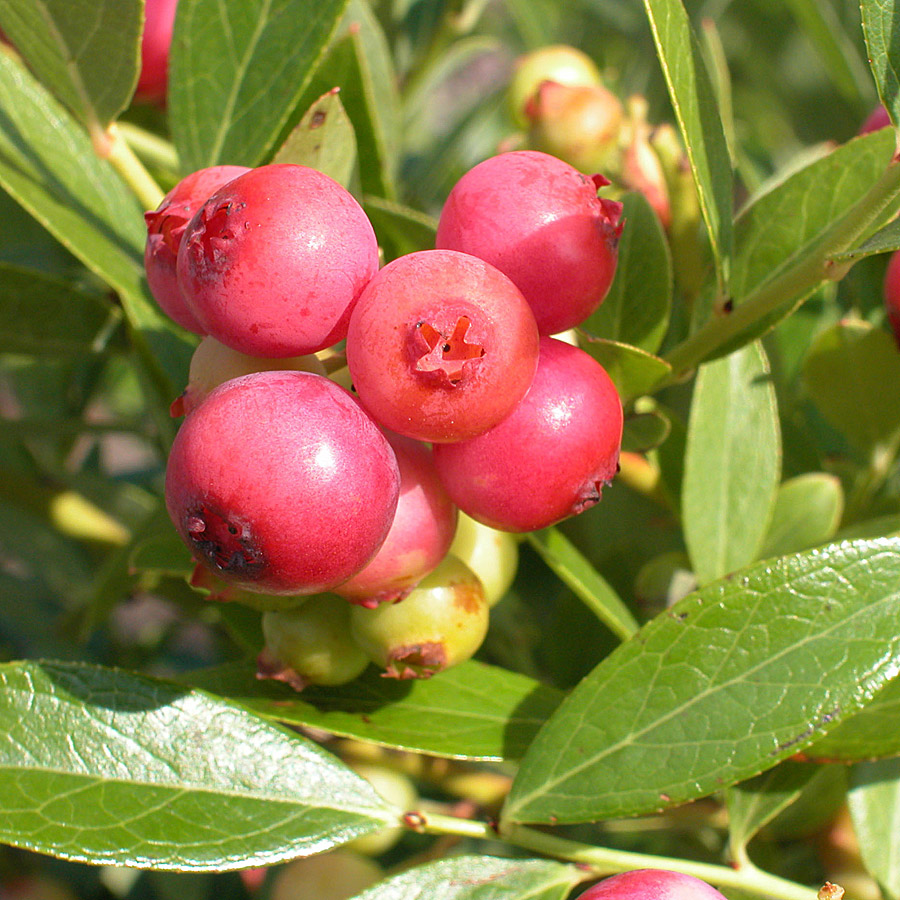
x,y
284,484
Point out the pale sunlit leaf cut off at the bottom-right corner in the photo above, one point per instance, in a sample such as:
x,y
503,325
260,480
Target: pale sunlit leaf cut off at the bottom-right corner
x,y
874,801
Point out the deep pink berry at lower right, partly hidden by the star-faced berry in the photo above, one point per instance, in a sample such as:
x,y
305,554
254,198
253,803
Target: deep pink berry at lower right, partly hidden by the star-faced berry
x,y
550,458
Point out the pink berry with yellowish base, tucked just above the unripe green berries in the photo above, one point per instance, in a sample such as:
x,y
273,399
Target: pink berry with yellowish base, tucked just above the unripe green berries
x,y
420,536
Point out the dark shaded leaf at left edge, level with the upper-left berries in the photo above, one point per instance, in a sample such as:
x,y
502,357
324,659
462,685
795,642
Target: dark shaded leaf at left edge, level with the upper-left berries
x,y
44,315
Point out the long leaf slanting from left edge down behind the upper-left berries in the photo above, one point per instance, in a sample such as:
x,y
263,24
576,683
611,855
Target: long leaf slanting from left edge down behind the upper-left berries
x,y
48,165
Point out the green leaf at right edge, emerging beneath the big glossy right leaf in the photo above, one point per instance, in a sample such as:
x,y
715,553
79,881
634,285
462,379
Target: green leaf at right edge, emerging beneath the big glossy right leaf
x,y
873,733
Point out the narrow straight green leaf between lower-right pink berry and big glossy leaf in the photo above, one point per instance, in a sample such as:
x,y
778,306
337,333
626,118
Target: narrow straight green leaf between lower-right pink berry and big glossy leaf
x,y
578,574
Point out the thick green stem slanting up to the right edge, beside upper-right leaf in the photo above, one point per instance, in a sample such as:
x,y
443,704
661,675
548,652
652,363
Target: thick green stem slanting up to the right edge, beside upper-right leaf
x,y
795,281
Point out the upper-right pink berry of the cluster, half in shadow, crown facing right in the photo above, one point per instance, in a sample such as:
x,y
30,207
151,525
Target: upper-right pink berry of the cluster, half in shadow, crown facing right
x,y
540,222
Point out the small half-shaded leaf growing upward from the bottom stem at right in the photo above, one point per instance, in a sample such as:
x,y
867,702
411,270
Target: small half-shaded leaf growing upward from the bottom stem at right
x,y
754,803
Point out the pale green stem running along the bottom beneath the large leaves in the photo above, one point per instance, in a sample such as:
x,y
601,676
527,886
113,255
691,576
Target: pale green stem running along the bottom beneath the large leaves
x,y
606,862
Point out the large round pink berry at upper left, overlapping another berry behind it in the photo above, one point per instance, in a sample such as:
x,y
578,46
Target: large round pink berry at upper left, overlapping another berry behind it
x,y
272,264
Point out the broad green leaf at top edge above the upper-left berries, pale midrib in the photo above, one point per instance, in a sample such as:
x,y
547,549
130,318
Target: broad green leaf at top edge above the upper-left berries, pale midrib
x,y
237,71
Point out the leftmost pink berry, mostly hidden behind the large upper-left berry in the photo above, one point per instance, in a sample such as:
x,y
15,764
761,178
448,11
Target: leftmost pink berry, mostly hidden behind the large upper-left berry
x,y
165,226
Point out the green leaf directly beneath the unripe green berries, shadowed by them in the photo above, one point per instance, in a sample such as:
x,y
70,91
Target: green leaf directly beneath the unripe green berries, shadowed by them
x,y
472,711
